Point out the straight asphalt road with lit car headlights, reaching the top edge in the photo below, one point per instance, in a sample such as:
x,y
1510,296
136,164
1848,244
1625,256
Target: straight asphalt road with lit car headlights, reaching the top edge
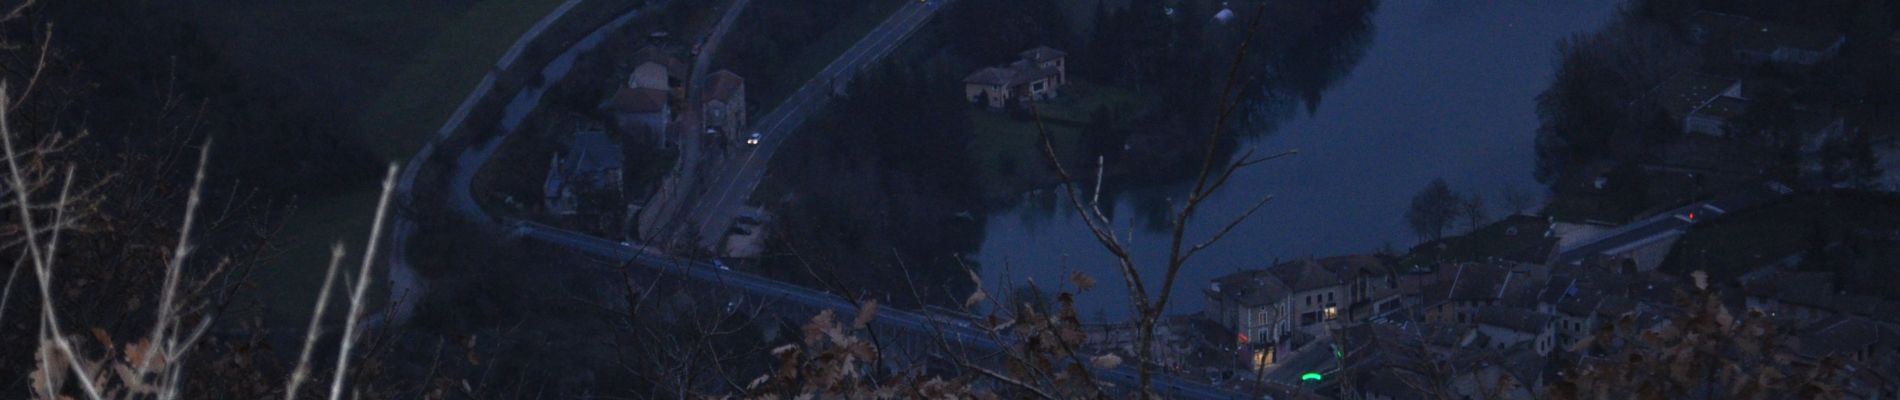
x,y
734,183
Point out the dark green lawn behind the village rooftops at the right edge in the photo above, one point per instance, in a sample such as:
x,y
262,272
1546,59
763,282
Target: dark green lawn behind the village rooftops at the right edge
x,y
1751,240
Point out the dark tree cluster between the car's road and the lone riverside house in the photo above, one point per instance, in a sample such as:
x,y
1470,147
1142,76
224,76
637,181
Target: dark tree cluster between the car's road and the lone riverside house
x,y
883,183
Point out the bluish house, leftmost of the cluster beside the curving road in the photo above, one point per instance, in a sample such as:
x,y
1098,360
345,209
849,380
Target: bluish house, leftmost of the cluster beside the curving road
x,y
590,166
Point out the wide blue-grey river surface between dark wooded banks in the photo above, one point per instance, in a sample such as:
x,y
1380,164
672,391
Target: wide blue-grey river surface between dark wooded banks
x,y
1378,96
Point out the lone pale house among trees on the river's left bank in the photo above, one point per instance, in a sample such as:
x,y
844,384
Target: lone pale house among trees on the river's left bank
x,y
1036,77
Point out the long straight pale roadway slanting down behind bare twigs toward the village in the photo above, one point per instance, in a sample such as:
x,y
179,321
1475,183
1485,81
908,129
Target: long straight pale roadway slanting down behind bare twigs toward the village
x,y
909,323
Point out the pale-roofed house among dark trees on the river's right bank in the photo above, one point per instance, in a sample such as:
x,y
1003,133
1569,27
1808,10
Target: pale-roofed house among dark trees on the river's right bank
x,y
1701,103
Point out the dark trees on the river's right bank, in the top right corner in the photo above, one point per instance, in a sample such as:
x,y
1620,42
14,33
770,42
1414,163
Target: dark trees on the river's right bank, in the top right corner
x,y
1603,103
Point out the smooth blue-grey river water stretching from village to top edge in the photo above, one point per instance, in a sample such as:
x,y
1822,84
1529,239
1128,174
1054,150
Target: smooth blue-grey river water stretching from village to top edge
x,y
1445,88
